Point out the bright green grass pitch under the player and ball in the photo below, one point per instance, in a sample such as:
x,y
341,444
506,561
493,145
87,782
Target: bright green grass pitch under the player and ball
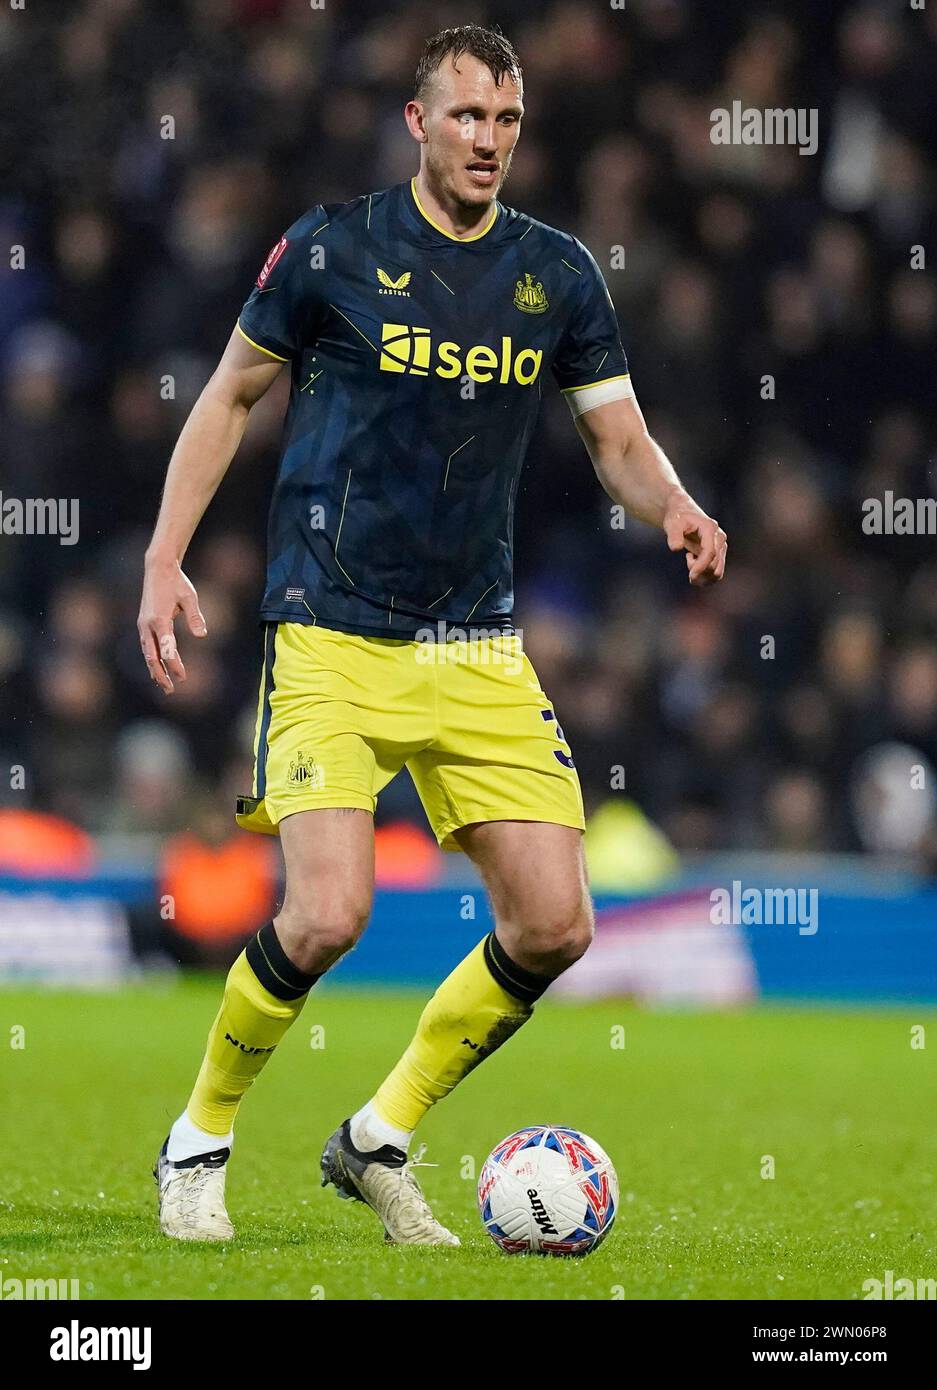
x,y
687,1111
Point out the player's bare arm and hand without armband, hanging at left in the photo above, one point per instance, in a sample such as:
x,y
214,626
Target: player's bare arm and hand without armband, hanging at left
x,y
201,459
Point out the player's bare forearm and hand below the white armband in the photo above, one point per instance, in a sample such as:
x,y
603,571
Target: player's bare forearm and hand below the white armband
x,y
637,475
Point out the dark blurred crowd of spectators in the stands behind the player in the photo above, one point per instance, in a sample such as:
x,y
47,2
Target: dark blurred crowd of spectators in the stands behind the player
x,y
781,333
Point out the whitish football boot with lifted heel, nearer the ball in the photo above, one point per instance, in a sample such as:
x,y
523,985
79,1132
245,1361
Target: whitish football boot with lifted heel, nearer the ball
x,y
384,1181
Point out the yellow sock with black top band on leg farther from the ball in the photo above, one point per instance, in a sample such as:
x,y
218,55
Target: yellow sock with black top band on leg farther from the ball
x,y
265,993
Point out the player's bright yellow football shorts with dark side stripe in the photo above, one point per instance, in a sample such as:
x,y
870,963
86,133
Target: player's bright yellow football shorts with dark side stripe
x,y
341,715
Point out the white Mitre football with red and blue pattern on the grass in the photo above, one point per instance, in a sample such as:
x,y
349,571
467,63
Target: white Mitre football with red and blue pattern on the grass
x,y
548,1191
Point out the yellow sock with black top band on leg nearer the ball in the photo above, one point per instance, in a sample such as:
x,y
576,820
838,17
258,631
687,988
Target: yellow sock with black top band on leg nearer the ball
x,y
478,1008
